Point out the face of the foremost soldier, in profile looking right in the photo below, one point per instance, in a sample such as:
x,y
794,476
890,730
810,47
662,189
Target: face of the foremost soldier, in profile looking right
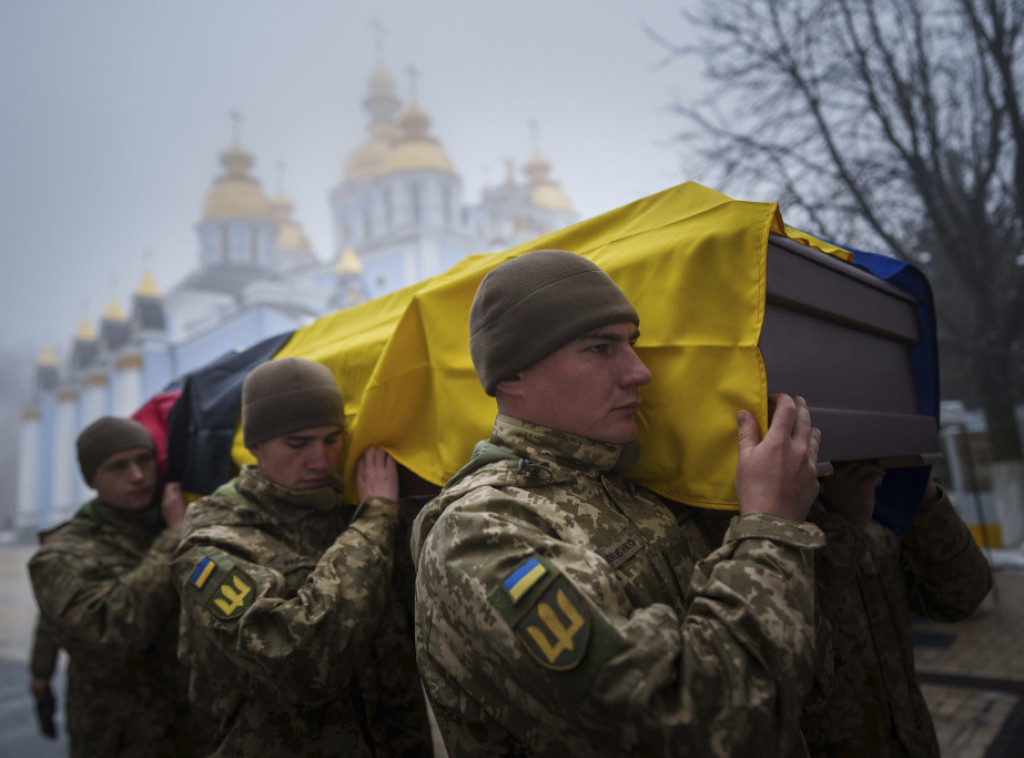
x,y
590,387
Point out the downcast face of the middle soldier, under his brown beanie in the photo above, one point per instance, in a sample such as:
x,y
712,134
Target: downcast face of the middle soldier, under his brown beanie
x,y
302,461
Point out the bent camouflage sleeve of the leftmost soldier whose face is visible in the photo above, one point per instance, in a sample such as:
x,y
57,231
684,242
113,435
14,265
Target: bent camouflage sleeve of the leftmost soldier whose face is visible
x,y
91,607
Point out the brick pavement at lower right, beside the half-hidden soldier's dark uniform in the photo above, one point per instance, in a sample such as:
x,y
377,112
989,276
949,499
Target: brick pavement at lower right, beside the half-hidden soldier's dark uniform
x,y
973,676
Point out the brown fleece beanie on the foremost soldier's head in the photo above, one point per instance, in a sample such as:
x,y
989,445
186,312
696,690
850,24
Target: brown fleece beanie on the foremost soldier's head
x,y
530,307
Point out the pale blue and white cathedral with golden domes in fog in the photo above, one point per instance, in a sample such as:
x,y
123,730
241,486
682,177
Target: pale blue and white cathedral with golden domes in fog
x,y
400,216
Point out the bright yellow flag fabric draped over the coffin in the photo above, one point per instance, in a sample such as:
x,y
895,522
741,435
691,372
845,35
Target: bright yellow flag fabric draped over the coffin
x,y
693,263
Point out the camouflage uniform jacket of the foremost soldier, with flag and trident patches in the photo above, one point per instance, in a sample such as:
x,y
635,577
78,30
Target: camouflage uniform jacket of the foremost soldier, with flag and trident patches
x,y
562,611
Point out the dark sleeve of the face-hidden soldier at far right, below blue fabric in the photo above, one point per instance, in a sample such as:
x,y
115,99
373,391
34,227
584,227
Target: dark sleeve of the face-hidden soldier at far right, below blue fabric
x,y
948,575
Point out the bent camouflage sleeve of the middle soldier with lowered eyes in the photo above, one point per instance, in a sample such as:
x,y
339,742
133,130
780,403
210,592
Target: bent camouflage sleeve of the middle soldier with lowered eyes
x,y
302,647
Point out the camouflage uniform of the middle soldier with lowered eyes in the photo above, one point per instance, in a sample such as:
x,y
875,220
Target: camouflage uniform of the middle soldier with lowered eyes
x,y
298,643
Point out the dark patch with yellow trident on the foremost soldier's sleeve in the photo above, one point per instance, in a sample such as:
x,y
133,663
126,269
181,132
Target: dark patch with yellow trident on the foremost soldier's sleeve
x,y
557,629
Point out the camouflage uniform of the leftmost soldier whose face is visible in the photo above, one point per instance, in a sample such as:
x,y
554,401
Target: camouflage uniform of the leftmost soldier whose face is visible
x,y
103,584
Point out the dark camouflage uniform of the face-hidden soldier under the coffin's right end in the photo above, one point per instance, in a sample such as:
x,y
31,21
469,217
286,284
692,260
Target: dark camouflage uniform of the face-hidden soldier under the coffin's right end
x,y
869,581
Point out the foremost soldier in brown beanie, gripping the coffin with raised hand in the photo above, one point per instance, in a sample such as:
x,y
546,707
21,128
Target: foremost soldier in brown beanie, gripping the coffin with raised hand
x,y
563,611
